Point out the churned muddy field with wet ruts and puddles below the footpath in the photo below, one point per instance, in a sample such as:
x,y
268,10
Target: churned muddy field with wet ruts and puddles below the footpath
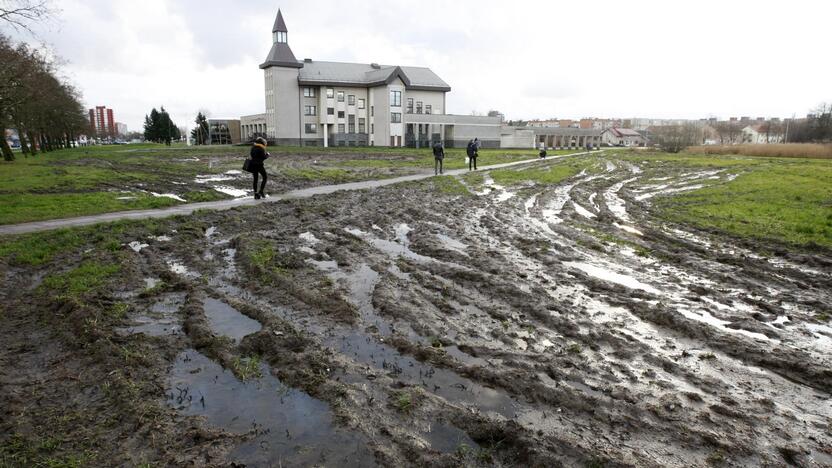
x,y
413,325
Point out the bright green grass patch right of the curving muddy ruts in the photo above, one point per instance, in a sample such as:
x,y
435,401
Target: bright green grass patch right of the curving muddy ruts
x,y
786,200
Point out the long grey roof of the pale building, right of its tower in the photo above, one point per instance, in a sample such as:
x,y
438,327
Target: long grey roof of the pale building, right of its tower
x,y
368,75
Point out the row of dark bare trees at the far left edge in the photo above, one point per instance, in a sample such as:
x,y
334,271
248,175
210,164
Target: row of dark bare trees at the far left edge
x,y
45,110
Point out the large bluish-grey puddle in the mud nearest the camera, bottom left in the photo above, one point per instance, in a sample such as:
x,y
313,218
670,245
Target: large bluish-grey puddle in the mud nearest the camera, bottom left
x,y
291,428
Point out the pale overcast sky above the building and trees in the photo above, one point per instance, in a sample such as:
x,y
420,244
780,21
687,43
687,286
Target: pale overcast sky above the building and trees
x,y
528,59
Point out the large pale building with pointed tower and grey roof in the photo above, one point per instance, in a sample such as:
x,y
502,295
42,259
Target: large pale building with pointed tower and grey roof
x,y
314,103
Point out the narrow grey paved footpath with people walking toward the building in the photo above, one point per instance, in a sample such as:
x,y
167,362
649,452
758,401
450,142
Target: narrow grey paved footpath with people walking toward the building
x,y
186,209
